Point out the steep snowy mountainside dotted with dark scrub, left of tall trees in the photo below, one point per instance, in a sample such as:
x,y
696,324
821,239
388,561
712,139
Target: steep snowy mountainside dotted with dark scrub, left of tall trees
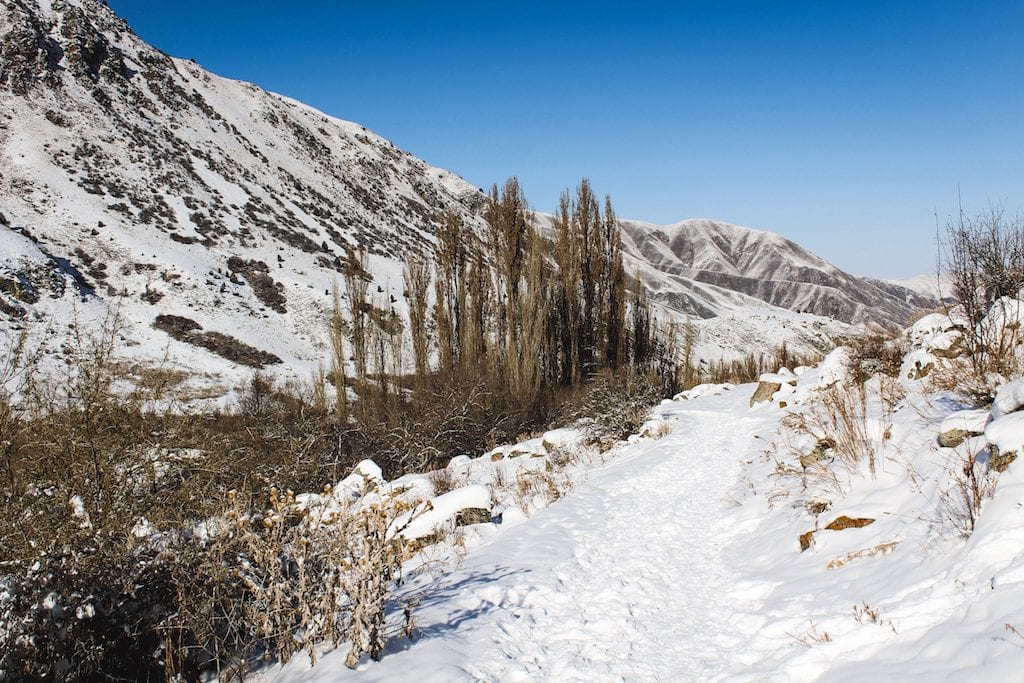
x,y
148,176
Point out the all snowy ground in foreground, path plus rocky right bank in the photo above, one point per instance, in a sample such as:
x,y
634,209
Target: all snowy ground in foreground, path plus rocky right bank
x,y
679,559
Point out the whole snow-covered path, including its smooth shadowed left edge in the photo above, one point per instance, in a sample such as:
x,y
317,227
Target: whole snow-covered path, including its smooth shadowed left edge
x,y
623,579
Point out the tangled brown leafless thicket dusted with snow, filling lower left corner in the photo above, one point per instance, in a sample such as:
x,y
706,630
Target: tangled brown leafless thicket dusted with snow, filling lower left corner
x,y
125,556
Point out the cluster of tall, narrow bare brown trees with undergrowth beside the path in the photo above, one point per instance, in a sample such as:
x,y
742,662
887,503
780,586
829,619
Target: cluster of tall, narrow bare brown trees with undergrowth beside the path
x,y
508,320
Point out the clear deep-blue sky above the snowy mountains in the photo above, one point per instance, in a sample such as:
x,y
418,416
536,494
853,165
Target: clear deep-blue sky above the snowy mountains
x,y
845,126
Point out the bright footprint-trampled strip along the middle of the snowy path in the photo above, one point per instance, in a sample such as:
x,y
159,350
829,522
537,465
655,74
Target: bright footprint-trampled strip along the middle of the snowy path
x,y
645,592
